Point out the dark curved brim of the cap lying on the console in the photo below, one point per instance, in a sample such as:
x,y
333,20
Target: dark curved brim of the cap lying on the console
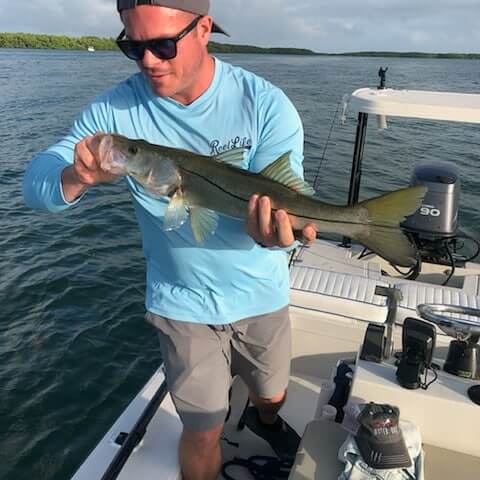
x,y
382,455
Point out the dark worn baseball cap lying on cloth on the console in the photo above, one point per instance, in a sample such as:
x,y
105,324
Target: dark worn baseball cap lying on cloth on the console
x,y
380,439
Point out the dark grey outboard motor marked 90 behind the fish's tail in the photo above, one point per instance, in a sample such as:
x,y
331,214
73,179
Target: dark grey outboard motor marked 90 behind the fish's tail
x,y
437,218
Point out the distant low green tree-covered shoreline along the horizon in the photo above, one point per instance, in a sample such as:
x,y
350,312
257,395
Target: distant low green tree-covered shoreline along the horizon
x,y
61,42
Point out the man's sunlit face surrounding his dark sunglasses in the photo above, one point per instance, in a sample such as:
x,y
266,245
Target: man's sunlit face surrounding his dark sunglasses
x,y
176,78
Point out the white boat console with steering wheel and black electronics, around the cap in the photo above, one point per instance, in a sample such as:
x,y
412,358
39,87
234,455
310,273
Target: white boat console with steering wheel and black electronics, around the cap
x,y
438,396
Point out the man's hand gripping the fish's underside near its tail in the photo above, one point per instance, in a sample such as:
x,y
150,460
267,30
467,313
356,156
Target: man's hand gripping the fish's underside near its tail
x,y
274,230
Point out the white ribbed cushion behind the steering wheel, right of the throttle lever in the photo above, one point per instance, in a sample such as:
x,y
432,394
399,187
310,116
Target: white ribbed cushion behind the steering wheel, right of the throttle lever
x,y
416,293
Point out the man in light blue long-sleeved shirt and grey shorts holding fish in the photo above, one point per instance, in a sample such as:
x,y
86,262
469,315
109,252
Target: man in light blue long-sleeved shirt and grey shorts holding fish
x,y
221,307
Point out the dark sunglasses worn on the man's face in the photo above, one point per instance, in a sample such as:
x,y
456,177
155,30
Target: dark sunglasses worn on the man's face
x,y
163,48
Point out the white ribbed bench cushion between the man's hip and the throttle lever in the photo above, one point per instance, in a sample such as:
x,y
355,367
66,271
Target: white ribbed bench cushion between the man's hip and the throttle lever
x,y
337,293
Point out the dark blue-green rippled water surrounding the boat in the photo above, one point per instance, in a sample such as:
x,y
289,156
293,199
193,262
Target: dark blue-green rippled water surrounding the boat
x,y
74,348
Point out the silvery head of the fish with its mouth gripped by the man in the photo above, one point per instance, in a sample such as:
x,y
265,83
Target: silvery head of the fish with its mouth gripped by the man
x,y
156,171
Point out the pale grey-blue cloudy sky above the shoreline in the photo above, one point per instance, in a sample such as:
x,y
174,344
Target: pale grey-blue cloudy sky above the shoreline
x,y
321,25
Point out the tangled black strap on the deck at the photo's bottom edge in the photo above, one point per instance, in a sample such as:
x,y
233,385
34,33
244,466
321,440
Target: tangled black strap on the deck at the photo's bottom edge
x,y
261,467
